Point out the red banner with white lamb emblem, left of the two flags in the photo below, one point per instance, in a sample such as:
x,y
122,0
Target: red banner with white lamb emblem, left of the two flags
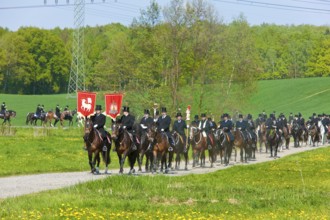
x,y
86,103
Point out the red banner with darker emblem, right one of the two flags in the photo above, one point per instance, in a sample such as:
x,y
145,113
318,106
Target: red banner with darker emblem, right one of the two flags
x,y
113,105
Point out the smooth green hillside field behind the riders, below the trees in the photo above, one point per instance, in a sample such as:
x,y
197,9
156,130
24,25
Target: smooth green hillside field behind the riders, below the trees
x,y
306,95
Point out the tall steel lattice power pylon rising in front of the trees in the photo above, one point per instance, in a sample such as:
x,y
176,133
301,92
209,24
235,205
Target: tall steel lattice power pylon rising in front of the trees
x,y
77,72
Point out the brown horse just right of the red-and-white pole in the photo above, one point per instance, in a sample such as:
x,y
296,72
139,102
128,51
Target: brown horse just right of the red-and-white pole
x,y
199,145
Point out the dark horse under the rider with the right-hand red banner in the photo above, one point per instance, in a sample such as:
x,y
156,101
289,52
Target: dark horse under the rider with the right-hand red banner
x,y
123,143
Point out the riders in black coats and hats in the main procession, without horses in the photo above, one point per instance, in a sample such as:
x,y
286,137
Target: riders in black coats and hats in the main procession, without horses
x,y
250,129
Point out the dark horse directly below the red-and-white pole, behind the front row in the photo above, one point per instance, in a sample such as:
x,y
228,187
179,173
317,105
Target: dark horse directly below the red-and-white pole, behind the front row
x,y
179,150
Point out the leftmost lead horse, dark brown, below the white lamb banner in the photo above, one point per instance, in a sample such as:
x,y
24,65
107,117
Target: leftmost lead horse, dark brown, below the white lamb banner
x,y
94,145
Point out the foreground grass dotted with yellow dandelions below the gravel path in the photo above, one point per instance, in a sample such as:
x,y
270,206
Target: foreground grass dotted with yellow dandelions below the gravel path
x,y
294,187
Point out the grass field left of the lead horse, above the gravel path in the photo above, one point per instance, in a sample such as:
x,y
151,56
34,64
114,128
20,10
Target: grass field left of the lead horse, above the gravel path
x,y
43,150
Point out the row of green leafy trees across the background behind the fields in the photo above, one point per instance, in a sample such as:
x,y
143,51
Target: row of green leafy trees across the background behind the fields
x,y
174,50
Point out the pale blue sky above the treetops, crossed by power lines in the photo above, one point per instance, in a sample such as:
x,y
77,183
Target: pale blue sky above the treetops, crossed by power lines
x,y
48,15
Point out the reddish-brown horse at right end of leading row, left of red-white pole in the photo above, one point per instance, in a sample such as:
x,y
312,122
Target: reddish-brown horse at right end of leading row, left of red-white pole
x,y
160,144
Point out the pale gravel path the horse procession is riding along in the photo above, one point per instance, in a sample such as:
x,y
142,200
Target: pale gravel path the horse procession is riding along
x,y
20,185
